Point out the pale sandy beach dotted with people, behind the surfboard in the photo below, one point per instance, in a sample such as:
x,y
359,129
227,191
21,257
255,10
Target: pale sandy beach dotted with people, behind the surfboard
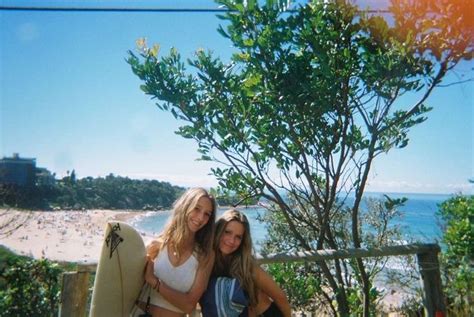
x,y
66,236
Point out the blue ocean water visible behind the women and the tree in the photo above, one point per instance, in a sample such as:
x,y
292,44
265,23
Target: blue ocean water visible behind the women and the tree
x,y
419,221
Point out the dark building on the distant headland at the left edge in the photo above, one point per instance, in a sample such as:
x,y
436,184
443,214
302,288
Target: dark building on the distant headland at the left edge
x,y
21,171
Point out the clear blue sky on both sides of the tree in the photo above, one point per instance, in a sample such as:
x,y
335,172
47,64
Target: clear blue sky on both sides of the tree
x,y
69,99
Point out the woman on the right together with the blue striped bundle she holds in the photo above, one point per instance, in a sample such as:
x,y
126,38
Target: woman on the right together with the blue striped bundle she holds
x,y
234,261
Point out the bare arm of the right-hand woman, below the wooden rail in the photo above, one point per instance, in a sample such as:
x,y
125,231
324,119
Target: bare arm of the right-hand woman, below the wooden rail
x,y
267,285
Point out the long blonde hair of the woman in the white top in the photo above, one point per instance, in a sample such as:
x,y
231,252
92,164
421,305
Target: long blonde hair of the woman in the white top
x,y
177,231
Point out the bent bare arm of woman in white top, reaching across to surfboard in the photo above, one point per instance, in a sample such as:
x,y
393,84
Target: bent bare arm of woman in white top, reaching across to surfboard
x,y
185,301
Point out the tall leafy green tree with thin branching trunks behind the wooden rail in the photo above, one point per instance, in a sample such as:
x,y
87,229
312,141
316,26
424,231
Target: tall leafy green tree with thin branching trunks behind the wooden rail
x,y
309,99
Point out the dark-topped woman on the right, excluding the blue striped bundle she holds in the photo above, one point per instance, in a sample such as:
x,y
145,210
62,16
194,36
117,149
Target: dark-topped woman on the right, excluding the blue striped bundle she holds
x,y
234,258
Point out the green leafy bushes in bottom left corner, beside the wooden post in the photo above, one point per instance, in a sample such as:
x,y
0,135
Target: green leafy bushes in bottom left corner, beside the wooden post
x,y
28,287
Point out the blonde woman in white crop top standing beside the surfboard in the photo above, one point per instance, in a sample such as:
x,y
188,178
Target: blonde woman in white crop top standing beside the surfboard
x,y
180,260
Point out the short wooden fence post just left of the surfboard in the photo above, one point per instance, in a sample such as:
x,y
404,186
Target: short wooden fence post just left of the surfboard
x,y
74,294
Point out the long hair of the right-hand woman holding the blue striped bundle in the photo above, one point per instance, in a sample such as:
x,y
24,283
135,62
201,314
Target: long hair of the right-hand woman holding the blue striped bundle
x,y
241,263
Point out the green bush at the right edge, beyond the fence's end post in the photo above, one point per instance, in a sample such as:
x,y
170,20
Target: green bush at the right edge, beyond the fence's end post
x,y
458,257
